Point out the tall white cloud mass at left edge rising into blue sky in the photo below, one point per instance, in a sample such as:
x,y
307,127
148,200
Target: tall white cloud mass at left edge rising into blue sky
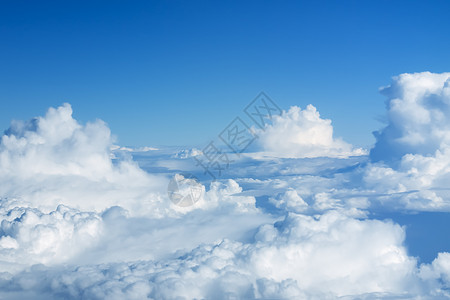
x,y
55,160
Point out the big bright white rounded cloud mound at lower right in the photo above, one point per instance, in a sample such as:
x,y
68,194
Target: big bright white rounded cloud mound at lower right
x,y
322,253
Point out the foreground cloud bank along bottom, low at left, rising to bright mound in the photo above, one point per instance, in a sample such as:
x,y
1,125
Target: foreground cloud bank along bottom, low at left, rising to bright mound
x,y
300,257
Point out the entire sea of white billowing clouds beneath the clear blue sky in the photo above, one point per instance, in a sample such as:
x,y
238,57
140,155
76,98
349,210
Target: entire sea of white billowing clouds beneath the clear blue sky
x,y
82,218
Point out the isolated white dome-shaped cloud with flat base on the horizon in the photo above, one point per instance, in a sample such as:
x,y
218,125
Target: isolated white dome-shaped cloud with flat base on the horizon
x,y
301,133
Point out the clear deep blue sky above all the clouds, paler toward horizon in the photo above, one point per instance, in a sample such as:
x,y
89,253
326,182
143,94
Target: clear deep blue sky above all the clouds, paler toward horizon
x,y
177,72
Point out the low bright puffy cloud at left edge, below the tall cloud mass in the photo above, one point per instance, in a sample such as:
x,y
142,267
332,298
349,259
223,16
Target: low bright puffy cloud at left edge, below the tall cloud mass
x,y
29,236
